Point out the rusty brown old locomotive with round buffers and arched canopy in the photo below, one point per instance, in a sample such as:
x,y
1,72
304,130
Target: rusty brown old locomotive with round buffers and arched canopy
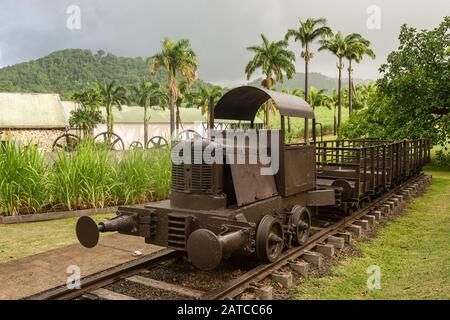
x,y
217,208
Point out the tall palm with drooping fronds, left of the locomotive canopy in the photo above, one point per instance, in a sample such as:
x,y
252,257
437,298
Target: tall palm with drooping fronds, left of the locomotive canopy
x,y
175,56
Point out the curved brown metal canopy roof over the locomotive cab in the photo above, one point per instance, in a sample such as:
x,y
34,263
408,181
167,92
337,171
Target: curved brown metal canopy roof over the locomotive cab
x,y
242,103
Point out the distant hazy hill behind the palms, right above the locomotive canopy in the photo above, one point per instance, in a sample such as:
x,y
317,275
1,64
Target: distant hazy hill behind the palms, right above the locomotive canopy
x,y
316,80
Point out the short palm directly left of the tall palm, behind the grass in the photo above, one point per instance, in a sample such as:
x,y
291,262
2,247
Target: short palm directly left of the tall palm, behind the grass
x,y
145,95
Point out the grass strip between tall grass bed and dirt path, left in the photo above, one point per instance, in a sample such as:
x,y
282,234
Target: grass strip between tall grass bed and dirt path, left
x,y
24,239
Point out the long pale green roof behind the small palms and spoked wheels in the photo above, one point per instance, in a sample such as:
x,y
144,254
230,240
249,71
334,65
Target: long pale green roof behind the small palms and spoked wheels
x,y
135,114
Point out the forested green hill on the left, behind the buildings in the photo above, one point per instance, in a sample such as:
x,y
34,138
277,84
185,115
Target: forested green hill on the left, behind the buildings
x,y
69,70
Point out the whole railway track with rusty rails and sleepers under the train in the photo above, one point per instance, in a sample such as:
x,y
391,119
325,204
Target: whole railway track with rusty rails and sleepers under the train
x,y
324,241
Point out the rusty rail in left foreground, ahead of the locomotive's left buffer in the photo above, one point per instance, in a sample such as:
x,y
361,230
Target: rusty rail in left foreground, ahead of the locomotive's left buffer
x,y
105,278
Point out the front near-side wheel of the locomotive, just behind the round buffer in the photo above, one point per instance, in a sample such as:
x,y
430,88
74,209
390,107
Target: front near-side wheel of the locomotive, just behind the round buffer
x,y
269,239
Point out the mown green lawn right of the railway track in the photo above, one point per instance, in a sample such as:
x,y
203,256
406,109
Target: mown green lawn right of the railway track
x,y
413,252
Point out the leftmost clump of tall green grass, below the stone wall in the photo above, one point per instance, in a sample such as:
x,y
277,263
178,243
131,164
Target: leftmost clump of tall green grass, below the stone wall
x,y
23,179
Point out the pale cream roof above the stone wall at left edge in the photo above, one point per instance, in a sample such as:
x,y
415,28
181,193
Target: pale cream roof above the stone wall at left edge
x,y
31,111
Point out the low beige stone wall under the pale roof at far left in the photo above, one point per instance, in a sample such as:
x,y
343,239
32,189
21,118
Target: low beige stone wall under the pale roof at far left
x,y
44,137
